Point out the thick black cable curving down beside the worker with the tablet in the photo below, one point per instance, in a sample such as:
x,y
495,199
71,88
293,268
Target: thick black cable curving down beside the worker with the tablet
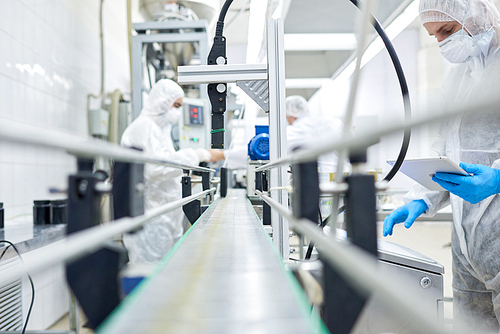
x,y
407,108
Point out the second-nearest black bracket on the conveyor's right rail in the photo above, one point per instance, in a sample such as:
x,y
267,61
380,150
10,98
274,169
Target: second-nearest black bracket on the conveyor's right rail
x,y
306,190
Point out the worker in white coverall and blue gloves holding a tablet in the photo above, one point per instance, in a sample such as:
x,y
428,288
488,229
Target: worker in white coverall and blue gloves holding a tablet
x,y
467,32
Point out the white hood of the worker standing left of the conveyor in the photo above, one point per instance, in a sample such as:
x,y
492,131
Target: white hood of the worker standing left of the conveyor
x,y
162,97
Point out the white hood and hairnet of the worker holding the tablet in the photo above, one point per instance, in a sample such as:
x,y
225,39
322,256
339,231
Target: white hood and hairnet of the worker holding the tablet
x,y
479,18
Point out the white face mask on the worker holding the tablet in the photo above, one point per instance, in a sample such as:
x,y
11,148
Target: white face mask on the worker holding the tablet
x,y
460,47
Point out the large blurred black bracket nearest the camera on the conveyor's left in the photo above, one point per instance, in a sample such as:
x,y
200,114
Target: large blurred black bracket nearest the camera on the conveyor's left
x,y
93,278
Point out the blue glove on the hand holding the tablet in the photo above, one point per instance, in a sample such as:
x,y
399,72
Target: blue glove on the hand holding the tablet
x,y
484,182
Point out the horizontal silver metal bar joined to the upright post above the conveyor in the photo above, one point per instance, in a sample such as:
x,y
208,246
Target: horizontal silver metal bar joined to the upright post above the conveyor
x,y
221,73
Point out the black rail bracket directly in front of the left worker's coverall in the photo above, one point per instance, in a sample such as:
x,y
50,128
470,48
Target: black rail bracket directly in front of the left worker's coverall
x,y
128,189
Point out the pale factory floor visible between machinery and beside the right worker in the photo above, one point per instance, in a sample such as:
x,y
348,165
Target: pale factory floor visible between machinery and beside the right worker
x,y
429,238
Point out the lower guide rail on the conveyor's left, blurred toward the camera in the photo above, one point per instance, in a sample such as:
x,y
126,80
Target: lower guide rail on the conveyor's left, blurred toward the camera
x,y
88,241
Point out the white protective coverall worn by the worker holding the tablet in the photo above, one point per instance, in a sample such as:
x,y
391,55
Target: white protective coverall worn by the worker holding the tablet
x,y
473,138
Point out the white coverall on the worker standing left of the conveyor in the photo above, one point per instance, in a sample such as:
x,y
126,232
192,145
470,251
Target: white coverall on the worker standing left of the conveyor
x,y
150,131
